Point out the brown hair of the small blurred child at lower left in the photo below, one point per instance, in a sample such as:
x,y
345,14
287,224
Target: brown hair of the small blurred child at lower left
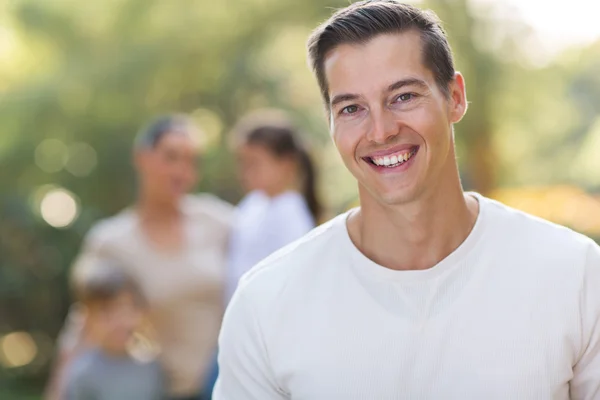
x,y
100,281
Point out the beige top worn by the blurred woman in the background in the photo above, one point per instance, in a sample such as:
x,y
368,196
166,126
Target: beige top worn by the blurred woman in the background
x,y
184,290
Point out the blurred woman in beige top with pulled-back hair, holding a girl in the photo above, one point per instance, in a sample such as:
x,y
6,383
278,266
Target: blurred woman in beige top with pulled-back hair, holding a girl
x,y
174,245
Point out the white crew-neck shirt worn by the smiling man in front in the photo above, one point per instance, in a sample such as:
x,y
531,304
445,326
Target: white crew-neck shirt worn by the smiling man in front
x,y
513,313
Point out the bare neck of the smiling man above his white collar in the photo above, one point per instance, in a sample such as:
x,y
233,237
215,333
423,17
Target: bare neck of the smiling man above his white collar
x,y
414,236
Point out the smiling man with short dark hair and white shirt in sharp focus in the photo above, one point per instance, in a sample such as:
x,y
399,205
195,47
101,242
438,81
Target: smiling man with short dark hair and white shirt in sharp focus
x,y
425,292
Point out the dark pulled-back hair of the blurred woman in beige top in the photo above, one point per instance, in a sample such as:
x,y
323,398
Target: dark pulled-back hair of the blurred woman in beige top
x,y
151,134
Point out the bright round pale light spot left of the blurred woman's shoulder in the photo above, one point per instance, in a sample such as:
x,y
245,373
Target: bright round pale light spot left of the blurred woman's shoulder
x,y
59,208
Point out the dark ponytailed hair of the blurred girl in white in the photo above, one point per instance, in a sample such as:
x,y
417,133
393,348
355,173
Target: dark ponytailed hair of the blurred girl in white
x,y
272,130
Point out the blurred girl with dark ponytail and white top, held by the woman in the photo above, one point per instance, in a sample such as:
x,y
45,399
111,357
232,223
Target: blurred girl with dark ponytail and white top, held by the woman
x,y
281,204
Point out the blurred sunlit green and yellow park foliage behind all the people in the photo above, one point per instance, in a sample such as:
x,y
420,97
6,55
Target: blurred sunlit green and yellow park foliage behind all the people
x,y
77,79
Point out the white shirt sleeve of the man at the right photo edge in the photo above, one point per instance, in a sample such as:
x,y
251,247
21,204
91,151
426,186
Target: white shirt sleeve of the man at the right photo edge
x,y
585,384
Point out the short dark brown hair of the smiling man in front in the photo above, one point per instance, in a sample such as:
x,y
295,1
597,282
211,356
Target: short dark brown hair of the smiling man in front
x,y
362,21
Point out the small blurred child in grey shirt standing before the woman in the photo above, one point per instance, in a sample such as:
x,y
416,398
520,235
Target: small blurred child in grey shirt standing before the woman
x,y
105,369
